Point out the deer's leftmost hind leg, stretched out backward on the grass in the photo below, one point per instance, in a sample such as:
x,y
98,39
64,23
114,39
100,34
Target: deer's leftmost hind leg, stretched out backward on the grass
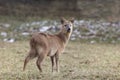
x,y
32,54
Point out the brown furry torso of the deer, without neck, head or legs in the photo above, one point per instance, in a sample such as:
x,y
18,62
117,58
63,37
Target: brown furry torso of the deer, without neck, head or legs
x,y
49,43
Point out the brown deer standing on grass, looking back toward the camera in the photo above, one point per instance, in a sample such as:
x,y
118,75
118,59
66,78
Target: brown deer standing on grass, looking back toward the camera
x,y
43,44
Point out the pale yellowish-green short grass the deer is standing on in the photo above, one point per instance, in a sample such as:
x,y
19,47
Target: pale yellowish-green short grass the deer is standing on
x,y
80,61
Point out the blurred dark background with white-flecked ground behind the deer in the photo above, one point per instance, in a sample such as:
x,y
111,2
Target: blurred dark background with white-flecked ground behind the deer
x,y
95,20
